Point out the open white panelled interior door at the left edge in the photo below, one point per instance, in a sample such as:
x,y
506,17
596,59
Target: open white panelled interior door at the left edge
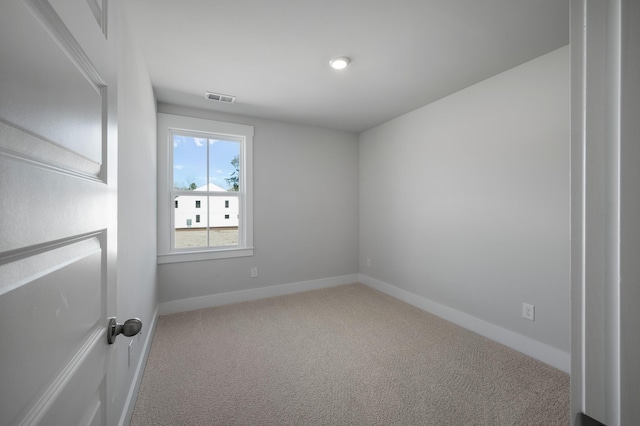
x,y
57,211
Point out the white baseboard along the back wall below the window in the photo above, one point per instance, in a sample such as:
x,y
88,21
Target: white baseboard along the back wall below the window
x,y
184,305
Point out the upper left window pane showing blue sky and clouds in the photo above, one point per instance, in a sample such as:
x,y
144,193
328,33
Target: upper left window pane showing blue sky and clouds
x,y
189,162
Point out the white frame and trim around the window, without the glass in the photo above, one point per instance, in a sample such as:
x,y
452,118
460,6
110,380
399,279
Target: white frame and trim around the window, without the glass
x,y
169,124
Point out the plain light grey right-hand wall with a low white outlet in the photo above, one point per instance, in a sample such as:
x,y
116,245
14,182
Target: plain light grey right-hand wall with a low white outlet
x,y
466,201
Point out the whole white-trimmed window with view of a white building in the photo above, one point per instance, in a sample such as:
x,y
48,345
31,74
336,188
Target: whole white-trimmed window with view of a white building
x,y
206,165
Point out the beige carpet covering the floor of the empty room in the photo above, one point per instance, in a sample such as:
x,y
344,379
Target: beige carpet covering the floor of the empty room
x,y
347,355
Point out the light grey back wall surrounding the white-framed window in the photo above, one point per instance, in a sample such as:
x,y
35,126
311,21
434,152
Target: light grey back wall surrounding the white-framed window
x,y
305,182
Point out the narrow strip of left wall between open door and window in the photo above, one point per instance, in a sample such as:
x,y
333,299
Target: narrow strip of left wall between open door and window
x,y
137,290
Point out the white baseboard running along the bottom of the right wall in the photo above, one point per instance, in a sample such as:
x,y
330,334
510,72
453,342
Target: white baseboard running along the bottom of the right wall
x,y
540,351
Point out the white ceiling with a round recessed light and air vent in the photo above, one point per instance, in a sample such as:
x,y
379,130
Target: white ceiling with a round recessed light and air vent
x,y
273,55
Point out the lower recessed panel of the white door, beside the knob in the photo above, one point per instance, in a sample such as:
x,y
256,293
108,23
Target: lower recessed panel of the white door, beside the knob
x,y
44,311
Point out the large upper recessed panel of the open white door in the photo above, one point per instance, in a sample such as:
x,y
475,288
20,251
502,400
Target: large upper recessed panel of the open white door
x,y
53,88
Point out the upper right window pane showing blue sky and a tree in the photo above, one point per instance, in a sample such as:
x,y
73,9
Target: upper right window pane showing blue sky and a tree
x,y
224,157
